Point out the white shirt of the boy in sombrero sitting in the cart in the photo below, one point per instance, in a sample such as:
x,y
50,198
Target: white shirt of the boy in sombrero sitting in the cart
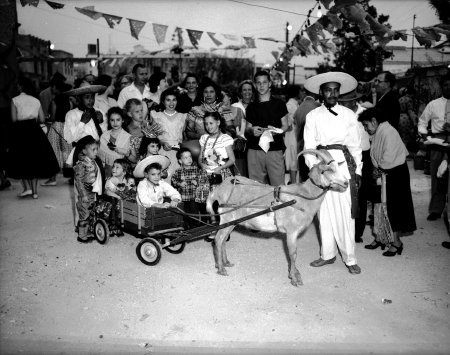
x,y
149,194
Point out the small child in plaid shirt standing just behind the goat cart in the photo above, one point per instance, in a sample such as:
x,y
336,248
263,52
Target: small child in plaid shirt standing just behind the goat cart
x,y
186,180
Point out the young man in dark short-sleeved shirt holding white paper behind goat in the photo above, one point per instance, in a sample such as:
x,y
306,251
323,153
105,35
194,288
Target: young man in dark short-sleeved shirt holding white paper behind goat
x,y
266,113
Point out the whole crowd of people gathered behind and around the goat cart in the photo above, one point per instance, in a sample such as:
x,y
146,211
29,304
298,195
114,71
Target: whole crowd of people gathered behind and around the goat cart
x,y
137,137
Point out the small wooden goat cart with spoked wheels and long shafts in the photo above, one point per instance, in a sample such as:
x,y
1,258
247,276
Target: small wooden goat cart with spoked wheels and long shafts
x,y
163,228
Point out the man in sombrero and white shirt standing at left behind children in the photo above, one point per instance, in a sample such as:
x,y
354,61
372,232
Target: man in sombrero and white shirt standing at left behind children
x,y
83,120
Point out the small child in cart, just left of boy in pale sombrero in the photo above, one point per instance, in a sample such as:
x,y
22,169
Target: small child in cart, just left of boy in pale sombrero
x,y
120,185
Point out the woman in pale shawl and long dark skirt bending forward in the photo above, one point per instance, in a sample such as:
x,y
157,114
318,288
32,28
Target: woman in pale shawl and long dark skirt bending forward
x,y
388,155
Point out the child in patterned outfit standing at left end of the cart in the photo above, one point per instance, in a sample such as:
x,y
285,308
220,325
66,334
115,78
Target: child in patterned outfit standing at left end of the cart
x,y
88,183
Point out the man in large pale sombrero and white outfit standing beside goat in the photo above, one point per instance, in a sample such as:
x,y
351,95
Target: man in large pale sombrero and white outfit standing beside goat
x,y
334,128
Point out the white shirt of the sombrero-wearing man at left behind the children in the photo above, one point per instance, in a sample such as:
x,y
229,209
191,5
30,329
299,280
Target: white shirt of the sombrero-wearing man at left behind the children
x,y
74,129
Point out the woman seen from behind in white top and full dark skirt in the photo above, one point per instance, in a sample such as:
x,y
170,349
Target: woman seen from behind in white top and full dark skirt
x,y
30,156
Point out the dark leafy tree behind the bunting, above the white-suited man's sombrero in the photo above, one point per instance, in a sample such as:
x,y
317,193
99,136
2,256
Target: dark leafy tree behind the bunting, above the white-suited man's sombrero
x,y
360,54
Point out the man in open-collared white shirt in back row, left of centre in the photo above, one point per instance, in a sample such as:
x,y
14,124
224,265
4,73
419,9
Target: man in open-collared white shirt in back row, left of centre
x,y
138,89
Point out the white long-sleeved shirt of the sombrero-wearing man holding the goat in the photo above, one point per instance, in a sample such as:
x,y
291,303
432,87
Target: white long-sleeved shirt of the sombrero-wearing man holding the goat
x,y
323,128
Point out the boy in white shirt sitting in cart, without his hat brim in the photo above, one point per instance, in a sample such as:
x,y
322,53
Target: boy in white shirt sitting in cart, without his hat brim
x,y
152,190
